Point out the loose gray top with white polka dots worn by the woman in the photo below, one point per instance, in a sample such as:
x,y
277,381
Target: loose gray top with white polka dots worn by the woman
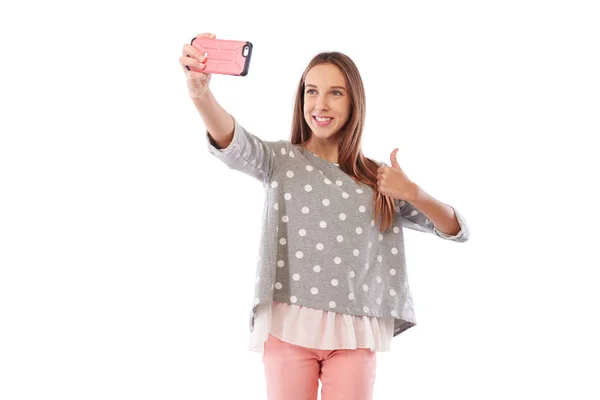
x,y
320,247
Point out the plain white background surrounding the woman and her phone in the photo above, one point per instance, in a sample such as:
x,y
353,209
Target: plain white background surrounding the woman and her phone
x,y
127,251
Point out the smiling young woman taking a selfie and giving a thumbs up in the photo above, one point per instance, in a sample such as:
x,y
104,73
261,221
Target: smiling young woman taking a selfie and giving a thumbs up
x,y
331,283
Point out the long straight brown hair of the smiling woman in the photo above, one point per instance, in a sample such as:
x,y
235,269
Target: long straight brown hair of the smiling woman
x,y
350,157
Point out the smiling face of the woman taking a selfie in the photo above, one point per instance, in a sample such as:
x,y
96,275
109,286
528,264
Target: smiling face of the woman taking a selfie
x,y
326,95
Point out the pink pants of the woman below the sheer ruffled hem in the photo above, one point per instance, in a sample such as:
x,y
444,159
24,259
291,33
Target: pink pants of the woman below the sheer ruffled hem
x,y
293,372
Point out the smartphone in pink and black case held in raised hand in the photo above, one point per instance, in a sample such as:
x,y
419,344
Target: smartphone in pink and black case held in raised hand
x,y
225,57
